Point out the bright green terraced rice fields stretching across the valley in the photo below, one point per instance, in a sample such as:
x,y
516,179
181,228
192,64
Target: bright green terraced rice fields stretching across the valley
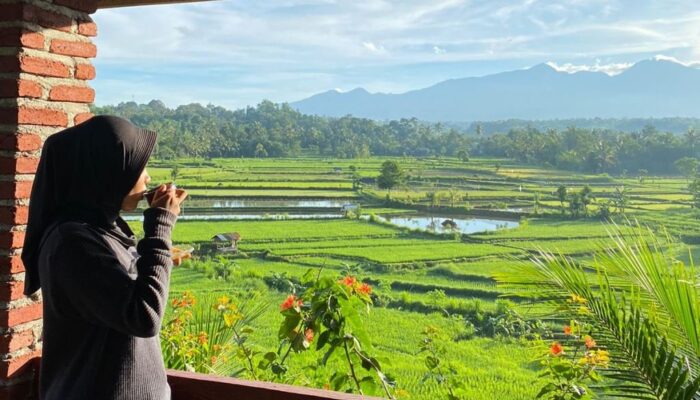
x,y
420,276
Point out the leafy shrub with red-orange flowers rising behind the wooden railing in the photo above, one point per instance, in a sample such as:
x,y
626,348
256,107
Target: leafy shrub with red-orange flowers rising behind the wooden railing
x,y
326,315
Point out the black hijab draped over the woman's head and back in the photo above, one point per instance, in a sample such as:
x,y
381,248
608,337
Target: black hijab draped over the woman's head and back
x,y
84,174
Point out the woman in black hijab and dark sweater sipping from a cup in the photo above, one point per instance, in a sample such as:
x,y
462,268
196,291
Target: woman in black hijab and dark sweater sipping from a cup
x,y
104,293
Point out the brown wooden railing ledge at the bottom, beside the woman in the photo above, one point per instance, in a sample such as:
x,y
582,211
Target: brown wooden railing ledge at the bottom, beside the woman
x,y
193,386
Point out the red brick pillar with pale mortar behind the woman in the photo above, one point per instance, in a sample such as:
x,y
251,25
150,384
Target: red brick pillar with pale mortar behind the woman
x,y
45,52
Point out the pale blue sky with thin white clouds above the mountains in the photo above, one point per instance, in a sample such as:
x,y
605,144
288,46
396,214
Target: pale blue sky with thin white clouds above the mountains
x,y
236,53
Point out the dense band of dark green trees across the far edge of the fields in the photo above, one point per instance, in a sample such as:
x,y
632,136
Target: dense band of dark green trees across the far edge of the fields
x,y
277,130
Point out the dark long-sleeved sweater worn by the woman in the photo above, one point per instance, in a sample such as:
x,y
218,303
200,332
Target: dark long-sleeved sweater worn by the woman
x,y
103,307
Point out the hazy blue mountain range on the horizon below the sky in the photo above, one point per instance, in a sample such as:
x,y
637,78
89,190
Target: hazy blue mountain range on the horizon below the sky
x,y
650,88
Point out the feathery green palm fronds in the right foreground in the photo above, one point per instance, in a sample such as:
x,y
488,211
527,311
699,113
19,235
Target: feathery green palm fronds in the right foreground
x,y
643,305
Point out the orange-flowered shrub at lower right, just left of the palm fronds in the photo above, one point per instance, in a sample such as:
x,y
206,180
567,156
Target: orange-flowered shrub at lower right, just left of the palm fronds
x,y
570,367
